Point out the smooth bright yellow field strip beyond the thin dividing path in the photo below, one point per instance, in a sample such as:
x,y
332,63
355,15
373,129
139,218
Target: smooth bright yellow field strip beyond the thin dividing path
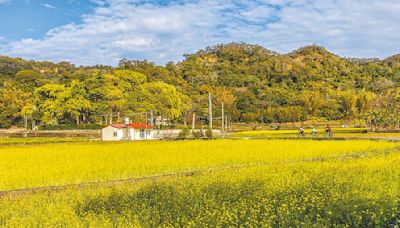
x,y
63,164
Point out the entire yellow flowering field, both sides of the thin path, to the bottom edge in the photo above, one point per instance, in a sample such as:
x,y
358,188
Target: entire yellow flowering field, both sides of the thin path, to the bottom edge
x,y
231,183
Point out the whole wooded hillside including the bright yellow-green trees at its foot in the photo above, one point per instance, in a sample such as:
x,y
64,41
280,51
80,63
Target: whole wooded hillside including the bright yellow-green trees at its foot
x,y
255,84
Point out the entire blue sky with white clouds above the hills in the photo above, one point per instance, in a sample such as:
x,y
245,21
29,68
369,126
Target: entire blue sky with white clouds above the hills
x,y
89,32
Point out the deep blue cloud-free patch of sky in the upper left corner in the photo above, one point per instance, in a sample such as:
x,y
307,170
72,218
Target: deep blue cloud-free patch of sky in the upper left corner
x,y
33,18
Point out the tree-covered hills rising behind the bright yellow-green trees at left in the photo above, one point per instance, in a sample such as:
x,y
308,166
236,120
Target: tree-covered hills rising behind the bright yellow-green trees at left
x,y
254,83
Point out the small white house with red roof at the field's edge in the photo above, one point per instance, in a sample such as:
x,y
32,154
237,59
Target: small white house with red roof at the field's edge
x,y
135,131
